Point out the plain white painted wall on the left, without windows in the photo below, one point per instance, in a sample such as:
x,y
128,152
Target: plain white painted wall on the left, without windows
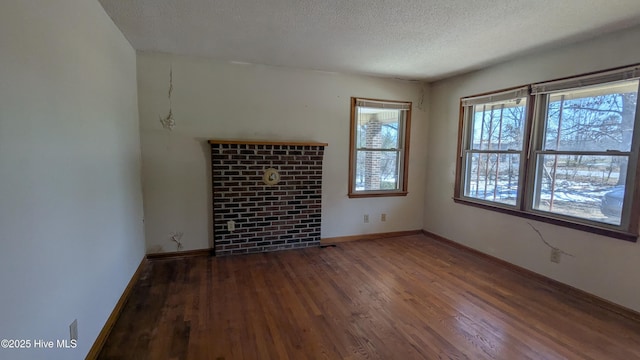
x,y
70,191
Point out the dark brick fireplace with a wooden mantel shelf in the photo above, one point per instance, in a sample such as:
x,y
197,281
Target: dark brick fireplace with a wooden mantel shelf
x,y
270,191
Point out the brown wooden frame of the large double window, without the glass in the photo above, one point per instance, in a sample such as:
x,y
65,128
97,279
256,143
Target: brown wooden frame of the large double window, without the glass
x,y
535,125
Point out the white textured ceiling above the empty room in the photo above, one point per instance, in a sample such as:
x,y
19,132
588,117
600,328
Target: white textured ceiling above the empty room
x,y
410,39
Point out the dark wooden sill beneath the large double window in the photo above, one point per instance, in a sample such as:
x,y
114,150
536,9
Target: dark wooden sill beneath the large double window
x,y
617,234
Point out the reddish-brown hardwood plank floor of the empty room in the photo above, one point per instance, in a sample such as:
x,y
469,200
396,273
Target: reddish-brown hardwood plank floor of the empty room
x,y
400,298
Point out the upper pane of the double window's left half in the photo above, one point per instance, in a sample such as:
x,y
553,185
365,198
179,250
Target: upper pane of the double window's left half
x,y
499,126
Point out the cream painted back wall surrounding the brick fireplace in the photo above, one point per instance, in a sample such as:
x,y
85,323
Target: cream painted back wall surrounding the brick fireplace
x,y
222,100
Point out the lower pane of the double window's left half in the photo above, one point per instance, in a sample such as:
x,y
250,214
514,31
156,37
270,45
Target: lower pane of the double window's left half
x,y
493,177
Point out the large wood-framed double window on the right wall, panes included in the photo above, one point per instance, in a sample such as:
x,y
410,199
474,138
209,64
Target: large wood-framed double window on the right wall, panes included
x,y
563,151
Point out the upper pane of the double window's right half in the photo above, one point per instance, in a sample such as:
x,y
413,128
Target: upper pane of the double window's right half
x,y
597,118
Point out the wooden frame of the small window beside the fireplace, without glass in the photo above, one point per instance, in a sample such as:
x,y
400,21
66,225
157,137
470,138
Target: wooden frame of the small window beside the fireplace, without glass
x,y
402,151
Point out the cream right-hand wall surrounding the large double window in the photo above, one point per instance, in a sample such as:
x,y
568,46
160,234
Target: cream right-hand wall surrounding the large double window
x,y
602,266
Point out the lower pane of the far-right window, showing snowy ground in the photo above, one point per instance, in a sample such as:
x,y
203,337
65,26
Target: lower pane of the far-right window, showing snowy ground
x,y
588,187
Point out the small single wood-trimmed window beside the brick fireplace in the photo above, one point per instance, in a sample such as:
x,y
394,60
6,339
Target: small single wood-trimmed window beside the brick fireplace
x,y
379,147
